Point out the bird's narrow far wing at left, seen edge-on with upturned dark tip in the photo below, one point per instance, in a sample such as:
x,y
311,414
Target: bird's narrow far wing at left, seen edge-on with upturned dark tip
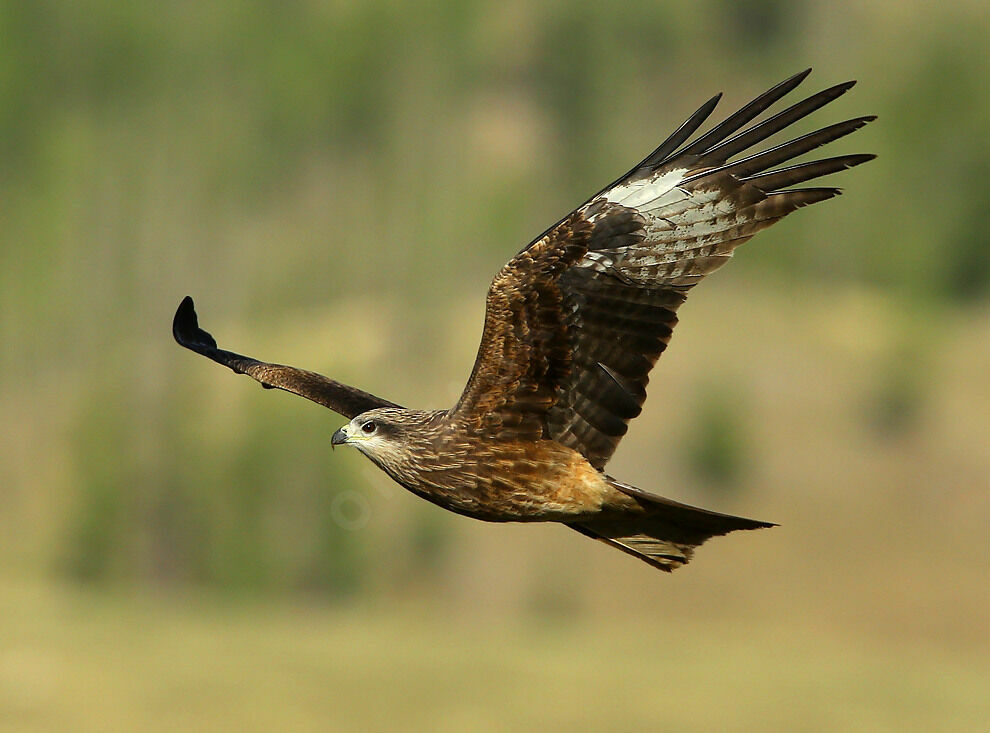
x,y
348,401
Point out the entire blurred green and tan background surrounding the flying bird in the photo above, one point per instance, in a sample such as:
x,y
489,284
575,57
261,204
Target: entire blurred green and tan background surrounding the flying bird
x,y
335,183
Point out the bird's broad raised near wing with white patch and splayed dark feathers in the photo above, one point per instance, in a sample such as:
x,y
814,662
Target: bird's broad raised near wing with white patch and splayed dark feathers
x,y
576,321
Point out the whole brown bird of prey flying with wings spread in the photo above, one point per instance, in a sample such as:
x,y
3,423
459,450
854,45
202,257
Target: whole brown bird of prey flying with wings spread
x,y
574,324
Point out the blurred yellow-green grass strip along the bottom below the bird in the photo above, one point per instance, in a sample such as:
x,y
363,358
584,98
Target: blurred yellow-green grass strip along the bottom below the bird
x,y
93,663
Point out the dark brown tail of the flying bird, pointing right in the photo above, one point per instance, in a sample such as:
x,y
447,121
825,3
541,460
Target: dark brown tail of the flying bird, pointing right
x,y
664,532
